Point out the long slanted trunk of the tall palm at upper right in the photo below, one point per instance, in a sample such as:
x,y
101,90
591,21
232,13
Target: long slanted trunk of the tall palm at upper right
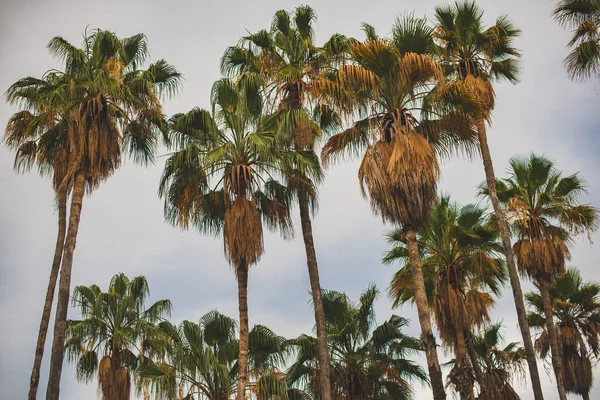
x,y
515,283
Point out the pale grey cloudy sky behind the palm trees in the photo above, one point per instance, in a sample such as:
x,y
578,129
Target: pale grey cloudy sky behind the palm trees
x,y
122,227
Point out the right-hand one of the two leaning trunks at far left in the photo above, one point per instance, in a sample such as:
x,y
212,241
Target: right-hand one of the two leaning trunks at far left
x,y
60,322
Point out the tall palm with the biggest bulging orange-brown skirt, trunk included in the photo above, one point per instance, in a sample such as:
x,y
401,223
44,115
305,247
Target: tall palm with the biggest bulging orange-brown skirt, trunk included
x,y
388,85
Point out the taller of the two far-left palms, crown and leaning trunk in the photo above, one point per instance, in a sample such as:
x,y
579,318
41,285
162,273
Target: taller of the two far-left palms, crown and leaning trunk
x,y
114,108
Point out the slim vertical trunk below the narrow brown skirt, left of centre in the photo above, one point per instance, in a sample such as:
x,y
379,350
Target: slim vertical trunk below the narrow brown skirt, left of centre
x,y
242,276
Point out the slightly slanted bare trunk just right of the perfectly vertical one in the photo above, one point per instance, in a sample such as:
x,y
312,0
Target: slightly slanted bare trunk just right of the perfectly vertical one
x,y
315,285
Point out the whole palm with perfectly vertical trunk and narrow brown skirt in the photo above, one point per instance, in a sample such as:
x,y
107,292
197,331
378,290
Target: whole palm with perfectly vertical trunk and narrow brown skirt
x,y
230,149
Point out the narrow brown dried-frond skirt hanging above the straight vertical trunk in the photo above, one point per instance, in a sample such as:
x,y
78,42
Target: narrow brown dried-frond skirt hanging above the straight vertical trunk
x,y
242,232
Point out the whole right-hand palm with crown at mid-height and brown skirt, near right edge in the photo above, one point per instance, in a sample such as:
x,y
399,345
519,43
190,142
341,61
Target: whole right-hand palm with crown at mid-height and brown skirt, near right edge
x,y
544,212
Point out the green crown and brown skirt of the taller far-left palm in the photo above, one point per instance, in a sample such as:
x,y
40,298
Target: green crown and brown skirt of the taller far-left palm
x,y
112,105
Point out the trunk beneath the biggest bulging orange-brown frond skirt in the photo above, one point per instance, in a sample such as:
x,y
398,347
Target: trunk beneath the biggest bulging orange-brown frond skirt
x,y
427,338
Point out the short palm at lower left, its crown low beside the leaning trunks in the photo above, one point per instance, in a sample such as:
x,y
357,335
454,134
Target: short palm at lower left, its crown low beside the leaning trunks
x,y
106,341
